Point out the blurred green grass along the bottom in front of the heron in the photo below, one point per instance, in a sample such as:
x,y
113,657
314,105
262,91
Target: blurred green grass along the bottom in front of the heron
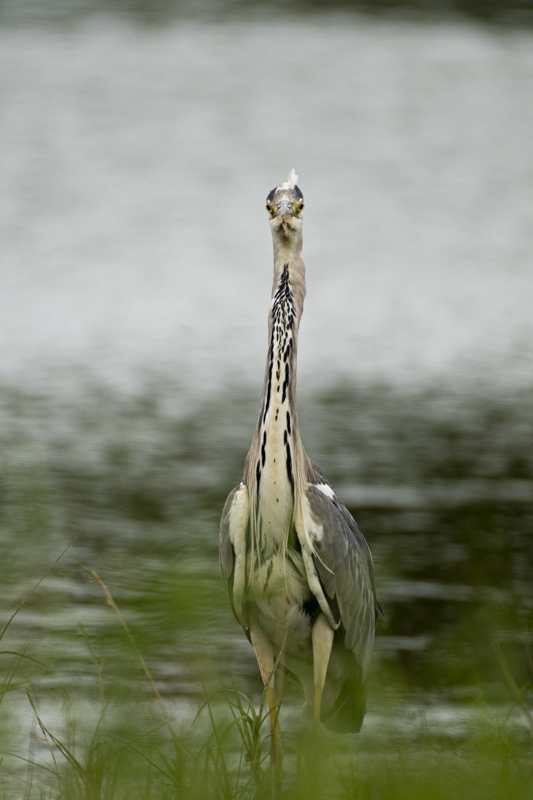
x,y
106,747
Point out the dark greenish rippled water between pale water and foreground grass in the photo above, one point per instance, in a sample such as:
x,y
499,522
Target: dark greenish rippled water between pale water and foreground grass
x,y
441,483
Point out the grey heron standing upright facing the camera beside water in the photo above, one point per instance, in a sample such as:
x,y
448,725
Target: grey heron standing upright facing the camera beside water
x,y
297,569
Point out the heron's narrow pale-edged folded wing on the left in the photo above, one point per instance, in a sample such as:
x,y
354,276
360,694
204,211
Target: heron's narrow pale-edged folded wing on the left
x,y
232,548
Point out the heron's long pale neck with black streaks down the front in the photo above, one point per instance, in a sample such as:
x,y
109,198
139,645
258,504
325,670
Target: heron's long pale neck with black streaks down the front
x,y
276,455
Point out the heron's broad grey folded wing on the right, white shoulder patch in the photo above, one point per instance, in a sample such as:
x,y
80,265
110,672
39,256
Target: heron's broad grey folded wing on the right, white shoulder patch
x,y
344,565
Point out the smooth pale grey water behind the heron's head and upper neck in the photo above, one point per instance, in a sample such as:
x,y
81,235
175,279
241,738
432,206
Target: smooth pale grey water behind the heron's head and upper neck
x,y
135,162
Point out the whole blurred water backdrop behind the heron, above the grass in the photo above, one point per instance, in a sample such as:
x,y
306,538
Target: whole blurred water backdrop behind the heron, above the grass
x,y
138,141
